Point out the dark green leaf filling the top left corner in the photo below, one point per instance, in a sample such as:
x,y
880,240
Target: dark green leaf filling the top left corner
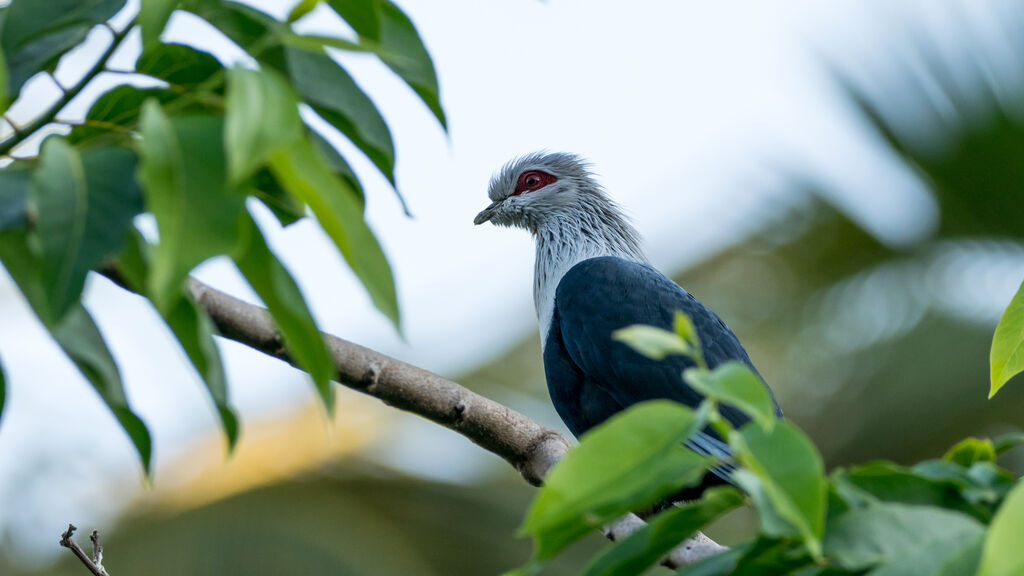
x,y
36,34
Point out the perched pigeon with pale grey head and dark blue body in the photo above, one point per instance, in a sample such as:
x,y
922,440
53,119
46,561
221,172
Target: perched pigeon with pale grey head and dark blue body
x,y
590,279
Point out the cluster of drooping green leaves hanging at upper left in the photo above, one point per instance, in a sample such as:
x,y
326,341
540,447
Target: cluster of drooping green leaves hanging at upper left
x,y
195,152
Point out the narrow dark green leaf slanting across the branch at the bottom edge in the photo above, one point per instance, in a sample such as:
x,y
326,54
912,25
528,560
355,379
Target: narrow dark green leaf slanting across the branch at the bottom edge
x,y
646,547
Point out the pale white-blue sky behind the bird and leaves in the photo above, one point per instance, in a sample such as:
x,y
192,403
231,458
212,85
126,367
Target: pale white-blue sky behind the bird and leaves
x,y
686,109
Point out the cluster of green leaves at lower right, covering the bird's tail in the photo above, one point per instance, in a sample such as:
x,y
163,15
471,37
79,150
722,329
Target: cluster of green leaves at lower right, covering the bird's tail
x,y
959,515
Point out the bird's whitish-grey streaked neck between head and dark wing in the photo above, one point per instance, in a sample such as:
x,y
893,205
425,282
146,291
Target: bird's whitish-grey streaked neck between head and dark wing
x,y
564,242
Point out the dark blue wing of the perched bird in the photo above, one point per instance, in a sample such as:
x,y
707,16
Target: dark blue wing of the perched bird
x,y
591,377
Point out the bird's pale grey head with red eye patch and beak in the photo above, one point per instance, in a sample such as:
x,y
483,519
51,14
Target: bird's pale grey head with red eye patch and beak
x,y
536,188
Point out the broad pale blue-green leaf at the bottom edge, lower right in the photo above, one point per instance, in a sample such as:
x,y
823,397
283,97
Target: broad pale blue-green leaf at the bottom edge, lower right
x,y
900,539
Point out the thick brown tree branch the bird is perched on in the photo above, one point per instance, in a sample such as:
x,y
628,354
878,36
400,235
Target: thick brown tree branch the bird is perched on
x,y
531,448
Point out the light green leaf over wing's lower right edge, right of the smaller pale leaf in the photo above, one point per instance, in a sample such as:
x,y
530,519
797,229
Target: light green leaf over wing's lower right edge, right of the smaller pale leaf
x,y
738,386
